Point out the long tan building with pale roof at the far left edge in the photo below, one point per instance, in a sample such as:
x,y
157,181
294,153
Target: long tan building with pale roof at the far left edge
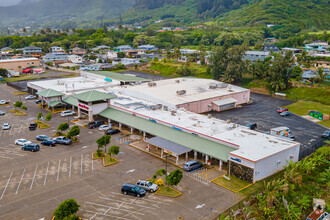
x,y
19,64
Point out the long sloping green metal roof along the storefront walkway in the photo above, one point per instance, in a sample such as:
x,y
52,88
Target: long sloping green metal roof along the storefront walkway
x,y
194,142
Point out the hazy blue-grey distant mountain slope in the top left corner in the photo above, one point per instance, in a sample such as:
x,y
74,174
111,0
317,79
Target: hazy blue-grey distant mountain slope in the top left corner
x,y
80,11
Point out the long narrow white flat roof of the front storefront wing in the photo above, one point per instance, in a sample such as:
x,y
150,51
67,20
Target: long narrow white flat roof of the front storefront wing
x,y
252,145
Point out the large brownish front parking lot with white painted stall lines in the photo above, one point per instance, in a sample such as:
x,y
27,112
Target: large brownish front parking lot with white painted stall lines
x,y
33,184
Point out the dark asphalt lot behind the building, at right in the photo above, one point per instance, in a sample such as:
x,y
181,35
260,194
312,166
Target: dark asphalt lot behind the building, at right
x,y
263,111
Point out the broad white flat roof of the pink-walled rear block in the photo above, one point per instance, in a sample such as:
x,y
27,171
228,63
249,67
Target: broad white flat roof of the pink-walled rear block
x,y
165,91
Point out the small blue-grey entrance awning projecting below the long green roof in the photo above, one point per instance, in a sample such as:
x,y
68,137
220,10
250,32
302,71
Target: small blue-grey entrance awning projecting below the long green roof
x,y
168,145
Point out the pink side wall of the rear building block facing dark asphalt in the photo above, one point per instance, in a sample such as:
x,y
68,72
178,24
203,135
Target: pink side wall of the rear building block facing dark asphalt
x,y
202,105
